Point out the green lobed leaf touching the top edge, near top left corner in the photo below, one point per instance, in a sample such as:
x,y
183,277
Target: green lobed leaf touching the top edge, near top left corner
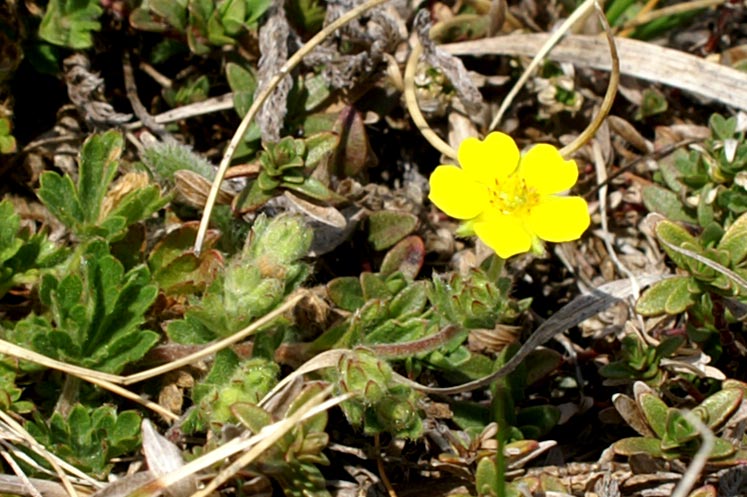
x,y
69,23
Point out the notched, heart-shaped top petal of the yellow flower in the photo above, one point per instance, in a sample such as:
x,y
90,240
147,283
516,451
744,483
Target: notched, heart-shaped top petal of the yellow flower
x,y
493,158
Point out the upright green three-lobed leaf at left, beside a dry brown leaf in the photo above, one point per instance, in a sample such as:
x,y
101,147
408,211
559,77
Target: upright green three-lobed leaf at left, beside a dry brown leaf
x,y
81,206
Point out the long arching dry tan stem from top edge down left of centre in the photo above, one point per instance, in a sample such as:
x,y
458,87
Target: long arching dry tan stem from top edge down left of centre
x,y
291,63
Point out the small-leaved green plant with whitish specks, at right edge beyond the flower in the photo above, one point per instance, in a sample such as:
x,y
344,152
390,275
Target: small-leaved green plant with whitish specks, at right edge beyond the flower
x,y
706,185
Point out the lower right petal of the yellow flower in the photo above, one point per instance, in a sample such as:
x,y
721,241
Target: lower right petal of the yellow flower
x,y
559,219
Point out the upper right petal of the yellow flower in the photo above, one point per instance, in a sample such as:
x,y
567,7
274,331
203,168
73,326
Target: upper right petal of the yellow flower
x,y
544,169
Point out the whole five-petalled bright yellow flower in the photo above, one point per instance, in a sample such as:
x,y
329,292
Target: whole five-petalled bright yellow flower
x,y
508,200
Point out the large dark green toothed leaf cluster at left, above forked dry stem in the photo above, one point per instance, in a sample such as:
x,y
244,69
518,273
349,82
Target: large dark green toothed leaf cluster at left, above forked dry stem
x,y
93,314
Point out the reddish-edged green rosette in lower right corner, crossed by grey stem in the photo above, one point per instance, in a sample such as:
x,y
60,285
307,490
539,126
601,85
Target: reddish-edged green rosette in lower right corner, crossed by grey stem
x,y
666,433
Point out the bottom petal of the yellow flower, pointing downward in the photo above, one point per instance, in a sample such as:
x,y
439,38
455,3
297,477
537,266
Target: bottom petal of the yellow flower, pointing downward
x,y
505,234
